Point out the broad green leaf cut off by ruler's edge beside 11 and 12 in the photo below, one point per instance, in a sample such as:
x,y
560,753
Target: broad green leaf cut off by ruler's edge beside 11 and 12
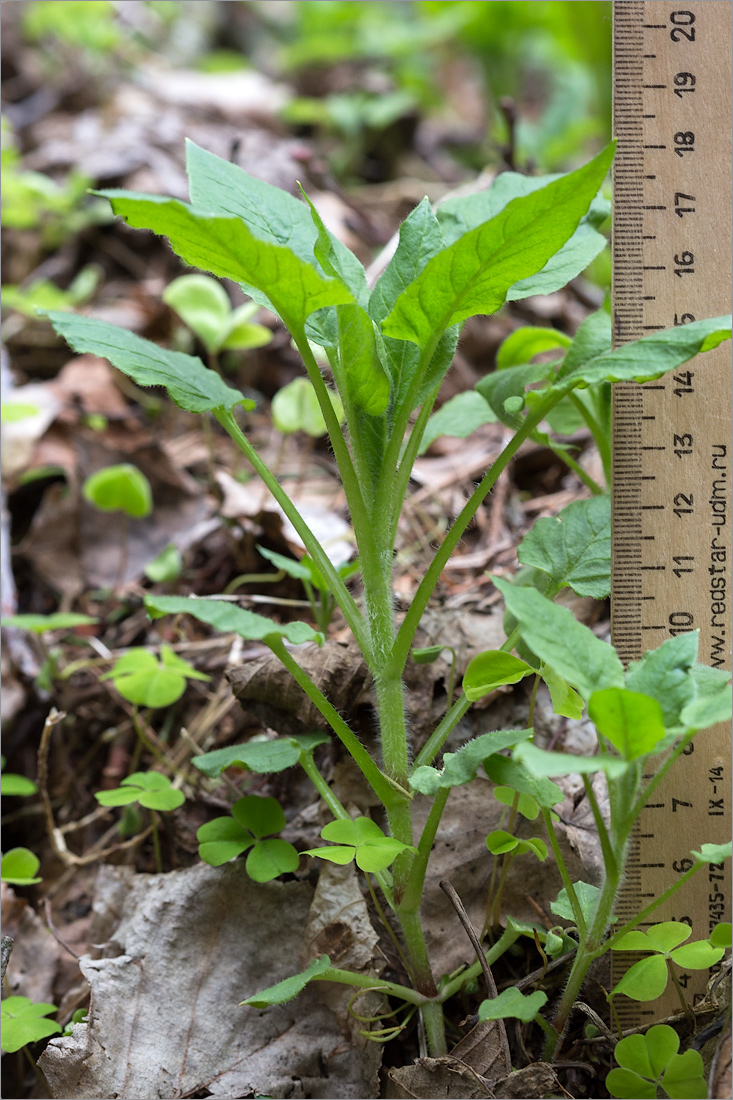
x,y
574,548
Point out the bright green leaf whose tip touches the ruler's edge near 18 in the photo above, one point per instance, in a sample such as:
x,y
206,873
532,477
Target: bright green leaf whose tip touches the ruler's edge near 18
x,y
475,274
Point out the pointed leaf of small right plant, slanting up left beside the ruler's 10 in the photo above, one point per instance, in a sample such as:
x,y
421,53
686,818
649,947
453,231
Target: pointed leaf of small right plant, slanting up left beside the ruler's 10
x,y
561,641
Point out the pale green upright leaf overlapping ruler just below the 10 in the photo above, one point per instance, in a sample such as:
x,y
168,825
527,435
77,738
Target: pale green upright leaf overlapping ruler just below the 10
x,y
664,674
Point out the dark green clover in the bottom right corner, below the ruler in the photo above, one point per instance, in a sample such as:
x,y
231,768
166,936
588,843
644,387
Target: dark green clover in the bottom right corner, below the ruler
x,y
651,1062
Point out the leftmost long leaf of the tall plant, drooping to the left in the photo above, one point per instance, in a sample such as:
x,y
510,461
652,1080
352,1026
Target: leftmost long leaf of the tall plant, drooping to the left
x,y
191,384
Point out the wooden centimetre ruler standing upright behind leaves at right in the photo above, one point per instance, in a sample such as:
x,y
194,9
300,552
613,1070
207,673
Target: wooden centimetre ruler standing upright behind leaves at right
x,y
673,461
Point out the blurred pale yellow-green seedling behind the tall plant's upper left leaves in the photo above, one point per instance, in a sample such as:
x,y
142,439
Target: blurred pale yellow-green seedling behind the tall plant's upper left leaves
x,y
203,304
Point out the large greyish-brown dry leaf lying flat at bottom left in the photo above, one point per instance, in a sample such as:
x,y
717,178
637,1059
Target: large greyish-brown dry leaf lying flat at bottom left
x,y
166,1019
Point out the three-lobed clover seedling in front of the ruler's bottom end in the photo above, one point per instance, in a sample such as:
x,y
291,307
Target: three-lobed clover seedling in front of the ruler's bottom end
x,y
648,980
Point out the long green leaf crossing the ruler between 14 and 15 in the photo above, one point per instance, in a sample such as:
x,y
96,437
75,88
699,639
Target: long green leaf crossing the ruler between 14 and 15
x,y
651,357
